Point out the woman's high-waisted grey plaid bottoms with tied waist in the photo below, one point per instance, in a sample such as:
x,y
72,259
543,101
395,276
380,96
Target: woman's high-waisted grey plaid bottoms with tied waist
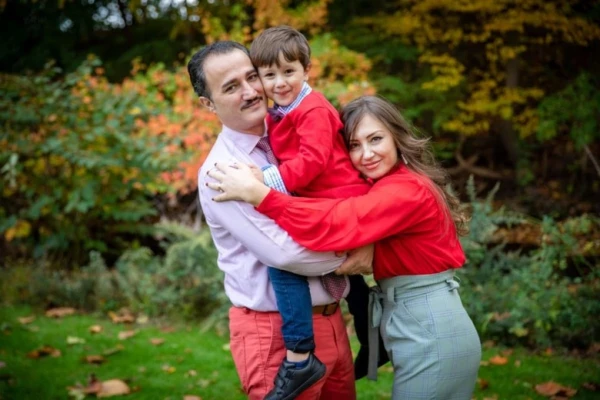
x,y
429,337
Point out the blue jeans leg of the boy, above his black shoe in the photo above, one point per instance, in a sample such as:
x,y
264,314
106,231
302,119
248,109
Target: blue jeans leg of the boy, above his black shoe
x,y
295,306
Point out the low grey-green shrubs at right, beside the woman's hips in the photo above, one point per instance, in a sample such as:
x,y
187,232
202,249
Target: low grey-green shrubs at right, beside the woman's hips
x,y
526,297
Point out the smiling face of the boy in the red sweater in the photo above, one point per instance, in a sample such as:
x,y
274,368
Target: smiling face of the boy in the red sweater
x,y
283,84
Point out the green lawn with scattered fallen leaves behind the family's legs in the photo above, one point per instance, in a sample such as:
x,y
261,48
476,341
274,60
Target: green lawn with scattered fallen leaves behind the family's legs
x,y
145,367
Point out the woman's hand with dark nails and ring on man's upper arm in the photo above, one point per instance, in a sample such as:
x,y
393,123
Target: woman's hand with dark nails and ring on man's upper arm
x,y
236,182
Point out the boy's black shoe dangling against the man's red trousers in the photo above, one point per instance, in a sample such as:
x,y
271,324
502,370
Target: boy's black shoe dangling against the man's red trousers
x,y
291,381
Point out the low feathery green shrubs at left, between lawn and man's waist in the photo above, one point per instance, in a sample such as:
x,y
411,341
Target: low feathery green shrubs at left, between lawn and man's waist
x,y
185,282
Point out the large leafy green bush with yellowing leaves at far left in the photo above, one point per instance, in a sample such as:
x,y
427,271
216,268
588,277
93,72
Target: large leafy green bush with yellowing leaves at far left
x,y
77,172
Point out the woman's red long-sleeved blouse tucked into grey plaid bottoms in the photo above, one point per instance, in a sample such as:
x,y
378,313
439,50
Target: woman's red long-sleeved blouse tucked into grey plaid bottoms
x,y
413,232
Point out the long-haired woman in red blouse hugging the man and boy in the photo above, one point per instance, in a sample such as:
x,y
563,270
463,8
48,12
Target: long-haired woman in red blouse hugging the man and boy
x,y
413,221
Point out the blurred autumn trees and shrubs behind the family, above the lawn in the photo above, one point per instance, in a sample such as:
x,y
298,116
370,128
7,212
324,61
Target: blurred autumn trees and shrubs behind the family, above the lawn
x,y
102,137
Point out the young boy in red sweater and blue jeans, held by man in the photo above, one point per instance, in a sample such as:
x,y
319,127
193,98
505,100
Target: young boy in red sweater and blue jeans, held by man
x,y
304,135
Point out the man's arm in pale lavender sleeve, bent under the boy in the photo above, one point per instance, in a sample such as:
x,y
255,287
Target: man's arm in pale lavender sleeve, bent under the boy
x,y
263,237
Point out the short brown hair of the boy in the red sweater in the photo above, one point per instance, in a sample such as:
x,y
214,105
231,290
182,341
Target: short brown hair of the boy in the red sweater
x,y
283,39
